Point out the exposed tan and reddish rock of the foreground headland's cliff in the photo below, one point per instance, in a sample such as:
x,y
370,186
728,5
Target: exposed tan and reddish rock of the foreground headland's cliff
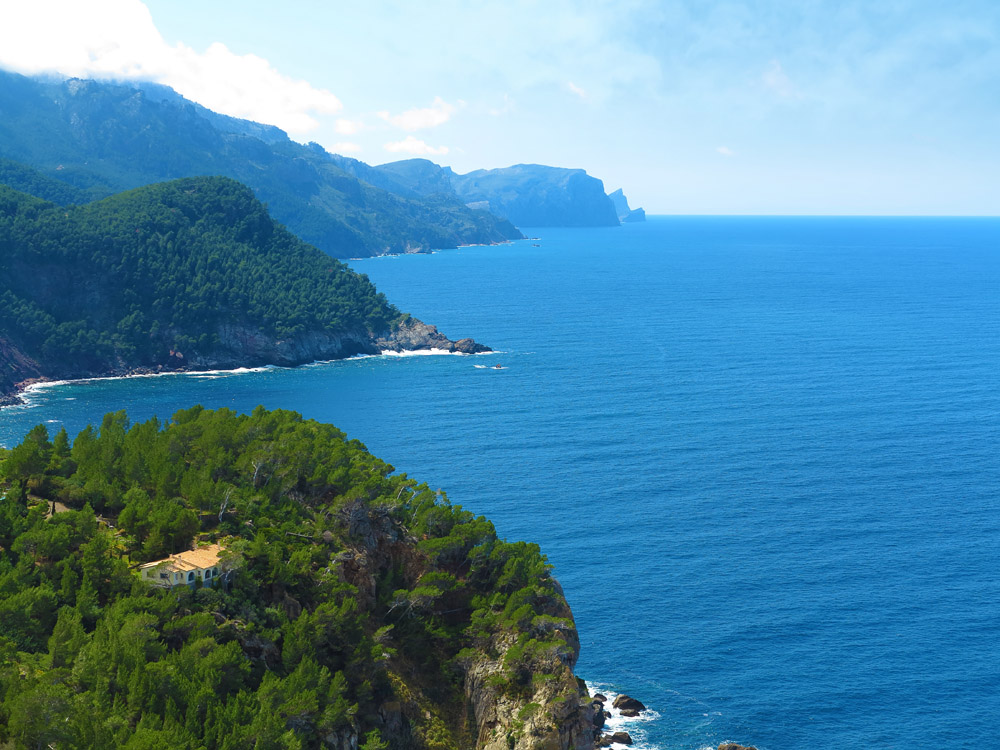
x,y
546,711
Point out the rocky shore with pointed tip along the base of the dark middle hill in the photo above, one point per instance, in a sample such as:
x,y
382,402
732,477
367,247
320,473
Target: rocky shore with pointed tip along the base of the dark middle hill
x,y
239,346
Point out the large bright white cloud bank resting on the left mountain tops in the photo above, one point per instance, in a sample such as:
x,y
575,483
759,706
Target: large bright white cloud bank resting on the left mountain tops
x,y
117,39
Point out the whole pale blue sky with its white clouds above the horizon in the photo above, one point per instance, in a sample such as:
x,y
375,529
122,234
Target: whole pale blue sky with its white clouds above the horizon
x,y
692,107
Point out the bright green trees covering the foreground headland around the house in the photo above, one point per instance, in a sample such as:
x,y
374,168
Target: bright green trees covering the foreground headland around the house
x,y
355,598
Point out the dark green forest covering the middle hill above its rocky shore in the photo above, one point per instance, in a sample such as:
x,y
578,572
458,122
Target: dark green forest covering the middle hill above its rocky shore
x,y
151,277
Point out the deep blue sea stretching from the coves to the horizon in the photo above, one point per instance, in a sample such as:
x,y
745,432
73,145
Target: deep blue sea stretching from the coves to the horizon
x,y
762,454
